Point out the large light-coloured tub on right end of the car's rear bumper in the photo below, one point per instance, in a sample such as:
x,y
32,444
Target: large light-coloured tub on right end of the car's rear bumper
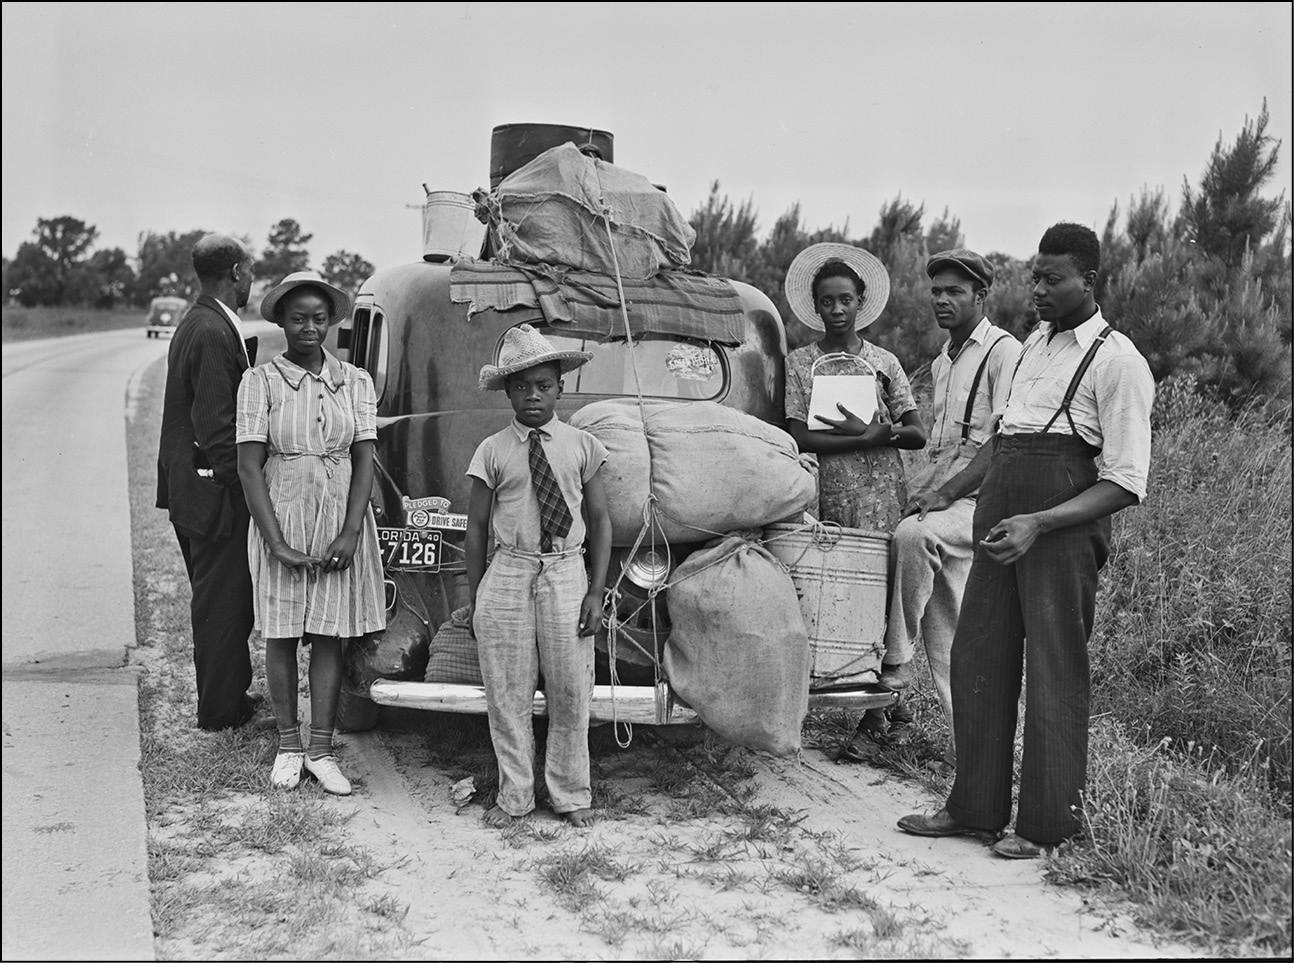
x,y
842,577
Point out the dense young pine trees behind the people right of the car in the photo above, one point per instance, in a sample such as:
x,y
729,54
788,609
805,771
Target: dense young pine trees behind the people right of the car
x,y
1204,291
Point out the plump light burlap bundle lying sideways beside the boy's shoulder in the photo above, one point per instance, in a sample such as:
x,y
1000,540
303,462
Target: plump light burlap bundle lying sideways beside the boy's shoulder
x,y
712,469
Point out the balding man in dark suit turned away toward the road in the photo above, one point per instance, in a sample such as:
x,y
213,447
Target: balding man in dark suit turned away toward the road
x,y
199,478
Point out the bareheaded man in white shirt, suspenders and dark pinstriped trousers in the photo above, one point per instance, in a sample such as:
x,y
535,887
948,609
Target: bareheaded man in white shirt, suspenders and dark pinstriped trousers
x,y
1073,447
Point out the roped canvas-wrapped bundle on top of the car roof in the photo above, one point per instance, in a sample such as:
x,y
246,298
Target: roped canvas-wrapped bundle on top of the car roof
x,y
558,209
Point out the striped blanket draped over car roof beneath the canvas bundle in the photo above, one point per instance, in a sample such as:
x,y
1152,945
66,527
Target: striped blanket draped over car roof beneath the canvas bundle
x,y
672,304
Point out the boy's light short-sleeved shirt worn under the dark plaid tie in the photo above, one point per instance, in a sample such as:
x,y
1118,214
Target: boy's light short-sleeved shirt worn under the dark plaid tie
x,y
503,463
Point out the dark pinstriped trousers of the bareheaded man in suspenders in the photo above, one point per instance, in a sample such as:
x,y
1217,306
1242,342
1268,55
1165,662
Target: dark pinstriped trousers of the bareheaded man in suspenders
x,y
1035,615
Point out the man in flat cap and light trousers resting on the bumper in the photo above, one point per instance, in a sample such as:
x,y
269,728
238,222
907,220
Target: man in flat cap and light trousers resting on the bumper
x,y
932,547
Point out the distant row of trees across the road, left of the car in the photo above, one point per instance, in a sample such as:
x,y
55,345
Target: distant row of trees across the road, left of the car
x,y
59,267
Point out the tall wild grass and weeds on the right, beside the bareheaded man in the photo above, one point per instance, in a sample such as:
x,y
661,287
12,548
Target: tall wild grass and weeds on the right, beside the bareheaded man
x,y
1189,795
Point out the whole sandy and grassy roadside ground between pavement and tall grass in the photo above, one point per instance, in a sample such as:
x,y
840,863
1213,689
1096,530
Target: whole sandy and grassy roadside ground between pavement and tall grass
x,y
701,851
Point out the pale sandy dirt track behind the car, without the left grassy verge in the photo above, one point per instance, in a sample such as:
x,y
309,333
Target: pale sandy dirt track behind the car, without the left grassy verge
x,y
789,859
